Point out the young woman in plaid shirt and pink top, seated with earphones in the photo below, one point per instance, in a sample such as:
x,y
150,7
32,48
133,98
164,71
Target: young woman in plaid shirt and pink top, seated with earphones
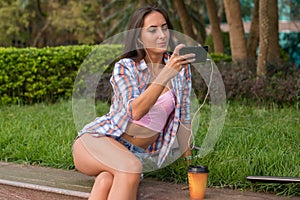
x,y
149,111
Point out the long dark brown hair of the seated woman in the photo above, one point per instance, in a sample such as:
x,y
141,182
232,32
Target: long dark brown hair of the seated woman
x,y
133,48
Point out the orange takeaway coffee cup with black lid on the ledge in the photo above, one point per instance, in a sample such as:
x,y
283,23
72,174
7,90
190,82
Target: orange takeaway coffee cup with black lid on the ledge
x,y
197,177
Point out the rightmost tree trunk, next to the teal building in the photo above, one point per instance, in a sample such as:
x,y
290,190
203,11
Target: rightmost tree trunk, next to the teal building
x,y
274,50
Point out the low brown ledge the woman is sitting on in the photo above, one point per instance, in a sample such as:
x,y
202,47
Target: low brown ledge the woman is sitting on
x,y
23,182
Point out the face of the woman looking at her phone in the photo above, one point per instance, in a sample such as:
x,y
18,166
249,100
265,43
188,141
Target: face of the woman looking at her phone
x,y
155,33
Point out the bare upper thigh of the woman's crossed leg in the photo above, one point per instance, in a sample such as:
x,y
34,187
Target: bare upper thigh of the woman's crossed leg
x,y
93,155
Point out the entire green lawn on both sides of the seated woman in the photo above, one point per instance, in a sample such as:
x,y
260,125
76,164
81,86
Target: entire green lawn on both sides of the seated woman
x,y
255,141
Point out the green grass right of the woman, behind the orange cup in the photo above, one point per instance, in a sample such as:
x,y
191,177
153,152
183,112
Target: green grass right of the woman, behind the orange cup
x,y
256,141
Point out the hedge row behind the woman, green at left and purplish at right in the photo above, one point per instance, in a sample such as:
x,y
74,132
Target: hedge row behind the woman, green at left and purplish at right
x,y
33,75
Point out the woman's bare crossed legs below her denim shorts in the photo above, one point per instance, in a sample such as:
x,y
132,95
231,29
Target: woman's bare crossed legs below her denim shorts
x,y
110,183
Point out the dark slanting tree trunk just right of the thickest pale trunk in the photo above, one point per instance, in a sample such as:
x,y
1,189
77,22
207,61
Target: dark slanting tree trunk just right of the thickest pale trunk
x,y
253,39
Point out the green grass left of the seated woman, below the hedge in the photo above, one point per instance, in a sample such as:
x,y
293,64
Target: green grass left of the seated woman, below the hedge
x,y
39,134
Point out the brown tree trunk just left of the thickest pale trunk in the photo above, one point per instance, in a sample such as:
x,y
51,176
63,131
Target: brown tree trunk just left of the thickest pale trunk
x,y
215,26
